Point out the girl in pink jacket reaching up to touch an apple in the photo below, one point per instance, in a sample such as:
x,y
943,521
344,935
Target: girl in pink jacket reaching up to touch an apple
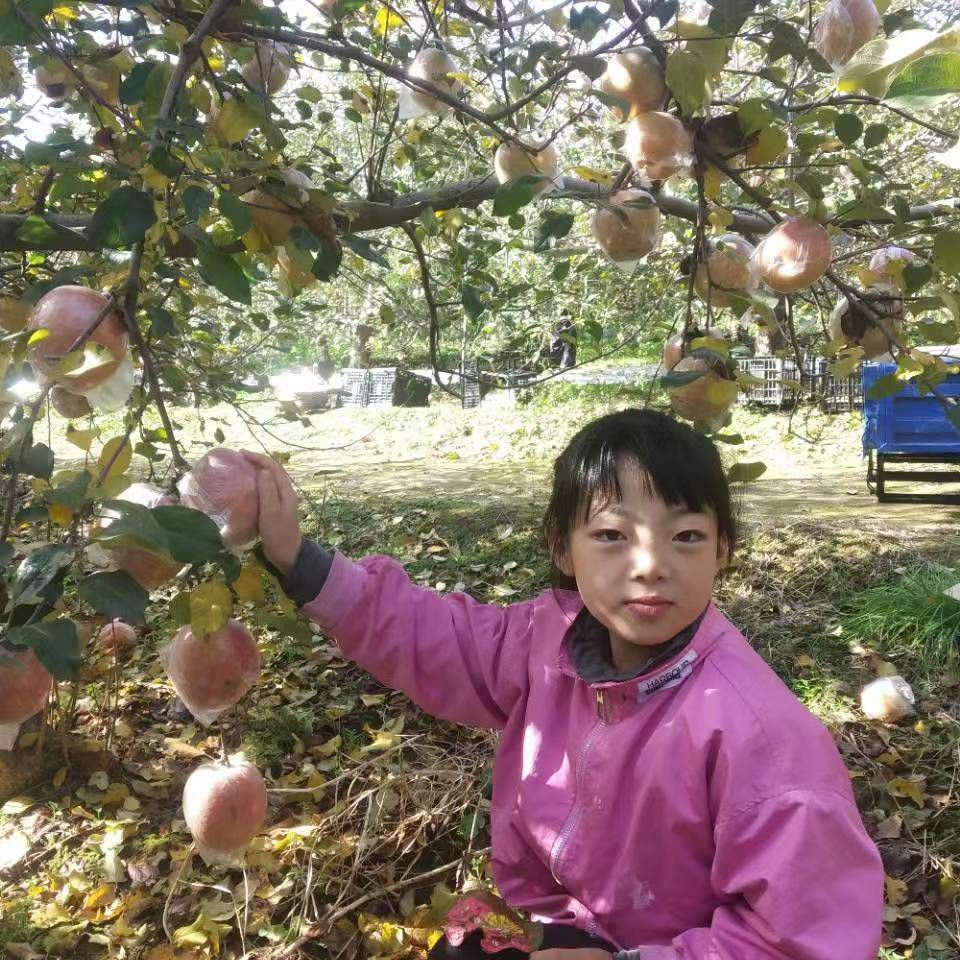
x,y
659,794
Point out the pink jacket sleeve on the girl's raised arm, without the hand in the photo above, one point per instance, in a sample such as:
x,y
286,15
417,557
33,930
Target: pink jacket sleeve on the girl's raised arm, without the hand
x,y
455,657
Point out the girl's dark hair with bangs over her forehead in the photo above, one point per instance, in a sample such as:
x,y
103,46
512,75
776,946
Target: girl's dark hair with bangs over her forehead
x,y
677,464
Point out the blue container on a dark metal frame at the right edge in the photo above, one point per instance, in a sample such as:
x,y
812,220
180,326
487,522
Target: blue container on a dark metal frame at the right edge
x,y
908,422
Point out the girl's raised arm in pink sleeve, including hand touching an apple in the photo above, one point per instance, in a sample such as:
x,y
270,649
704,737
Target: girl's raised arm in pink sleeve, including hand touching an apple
x,y
456,658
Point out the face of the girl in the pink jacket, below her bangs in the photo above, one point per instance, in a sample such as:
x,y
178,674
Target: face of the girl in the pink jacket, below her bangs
x,y
639,548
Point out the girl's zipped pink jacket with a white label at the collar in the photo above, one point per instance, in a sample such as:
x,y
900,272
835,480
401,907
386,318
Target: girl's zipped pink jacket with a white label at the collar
x,y
699,812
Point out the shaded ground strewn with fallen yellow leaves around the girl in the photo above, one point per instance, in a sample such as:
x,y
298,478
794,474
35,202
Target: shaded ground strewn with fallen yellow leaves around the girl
x,y
378,812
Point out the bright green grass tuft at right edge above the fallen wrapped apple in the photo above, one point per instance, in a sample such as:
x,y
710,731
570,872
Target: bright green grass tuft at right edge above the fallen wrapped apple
x,y
909,614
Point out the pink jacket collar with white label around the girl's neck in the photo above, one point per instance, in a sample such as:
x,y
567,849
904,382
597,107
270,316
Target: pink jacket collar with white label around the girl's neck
x,y
569,603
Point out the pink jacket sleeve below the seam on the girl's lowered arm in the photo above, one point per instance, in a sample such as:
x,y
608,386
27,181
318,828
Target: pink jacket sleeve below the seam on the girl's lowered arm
x,y
802,881
